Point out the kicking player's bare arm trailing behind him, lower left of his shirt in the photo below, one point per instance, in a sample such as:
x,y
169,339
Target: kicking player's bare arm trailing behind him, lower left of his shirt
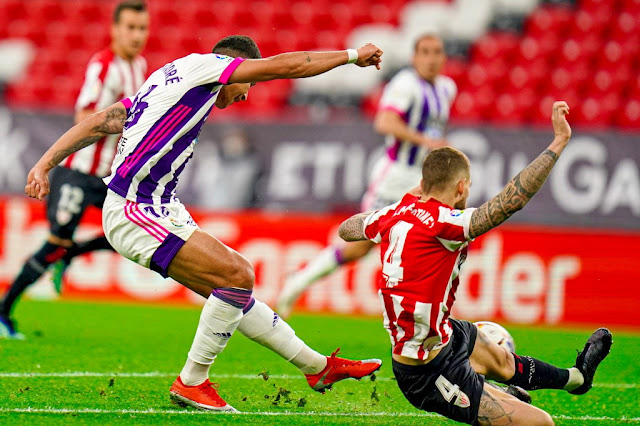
x,y
90,130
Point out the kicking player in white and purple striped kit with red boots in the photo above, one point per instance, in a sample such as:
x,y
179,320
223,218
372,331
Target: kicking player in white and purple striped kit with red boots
x,y
146,223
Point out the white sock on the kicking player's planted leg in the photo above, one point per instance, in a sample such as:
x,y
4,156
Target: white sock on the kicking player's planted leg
x,y
218,321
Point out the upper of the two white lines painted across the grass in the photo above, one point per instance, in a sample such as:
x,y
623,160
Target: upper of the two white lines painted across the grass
x,y
229,376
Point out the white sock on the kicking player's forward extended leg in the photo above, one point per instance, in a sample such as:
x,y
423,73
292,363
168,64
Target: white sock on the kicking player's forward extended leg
x,y
264,326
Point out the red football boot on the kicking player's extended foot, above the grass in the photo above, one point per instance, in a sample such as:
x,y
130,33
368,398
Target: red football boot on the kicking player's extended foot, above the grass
x,y
339,369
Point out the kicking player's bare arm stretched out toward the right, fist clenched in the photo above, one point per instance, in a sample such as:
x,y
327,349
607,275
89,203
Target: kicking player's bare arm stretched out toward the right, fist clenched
x,y
301,64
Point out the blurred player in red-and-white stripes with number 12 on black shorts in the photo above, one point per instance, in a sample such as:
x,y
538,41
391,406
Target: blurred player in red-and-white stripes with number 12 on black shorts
x,y
112,74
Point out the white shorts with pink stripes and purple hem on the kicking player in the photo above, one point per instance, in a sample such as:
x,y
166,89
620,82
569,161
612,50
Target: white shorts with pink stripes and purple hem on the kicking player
x,y
148,234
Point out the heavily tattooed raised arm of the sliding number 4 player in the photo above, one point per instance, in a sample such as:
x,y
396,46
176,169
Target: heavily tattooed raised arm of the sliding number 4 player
x,y
517,193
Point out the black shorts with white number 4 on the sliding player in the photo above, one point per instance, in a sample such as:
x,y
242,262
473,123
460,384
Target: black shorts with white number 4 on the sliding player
x,y
447,385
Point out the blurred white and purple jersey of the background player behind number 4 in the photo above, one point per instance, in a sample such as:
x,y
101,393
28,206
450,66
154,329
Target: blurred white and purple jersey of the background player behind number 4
x,y
423,105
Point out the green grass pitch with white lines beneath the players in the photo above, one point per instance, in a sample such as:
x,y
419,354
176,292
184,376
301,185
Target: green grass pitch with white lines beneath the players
x,y
108,363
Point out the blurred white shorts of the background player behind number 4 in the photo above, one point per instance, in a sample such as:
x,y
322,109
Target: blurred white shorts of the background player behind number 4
x,y
389,182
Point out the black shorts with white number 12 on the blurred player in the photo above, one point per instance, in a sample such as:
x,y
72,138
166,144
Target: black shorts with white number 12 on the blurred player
x,y
71,193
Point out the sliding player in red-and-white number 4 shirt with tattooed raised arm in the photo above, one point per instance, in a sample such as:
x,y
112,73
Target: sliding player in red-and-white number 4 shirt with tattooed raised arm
x,y
440,363
